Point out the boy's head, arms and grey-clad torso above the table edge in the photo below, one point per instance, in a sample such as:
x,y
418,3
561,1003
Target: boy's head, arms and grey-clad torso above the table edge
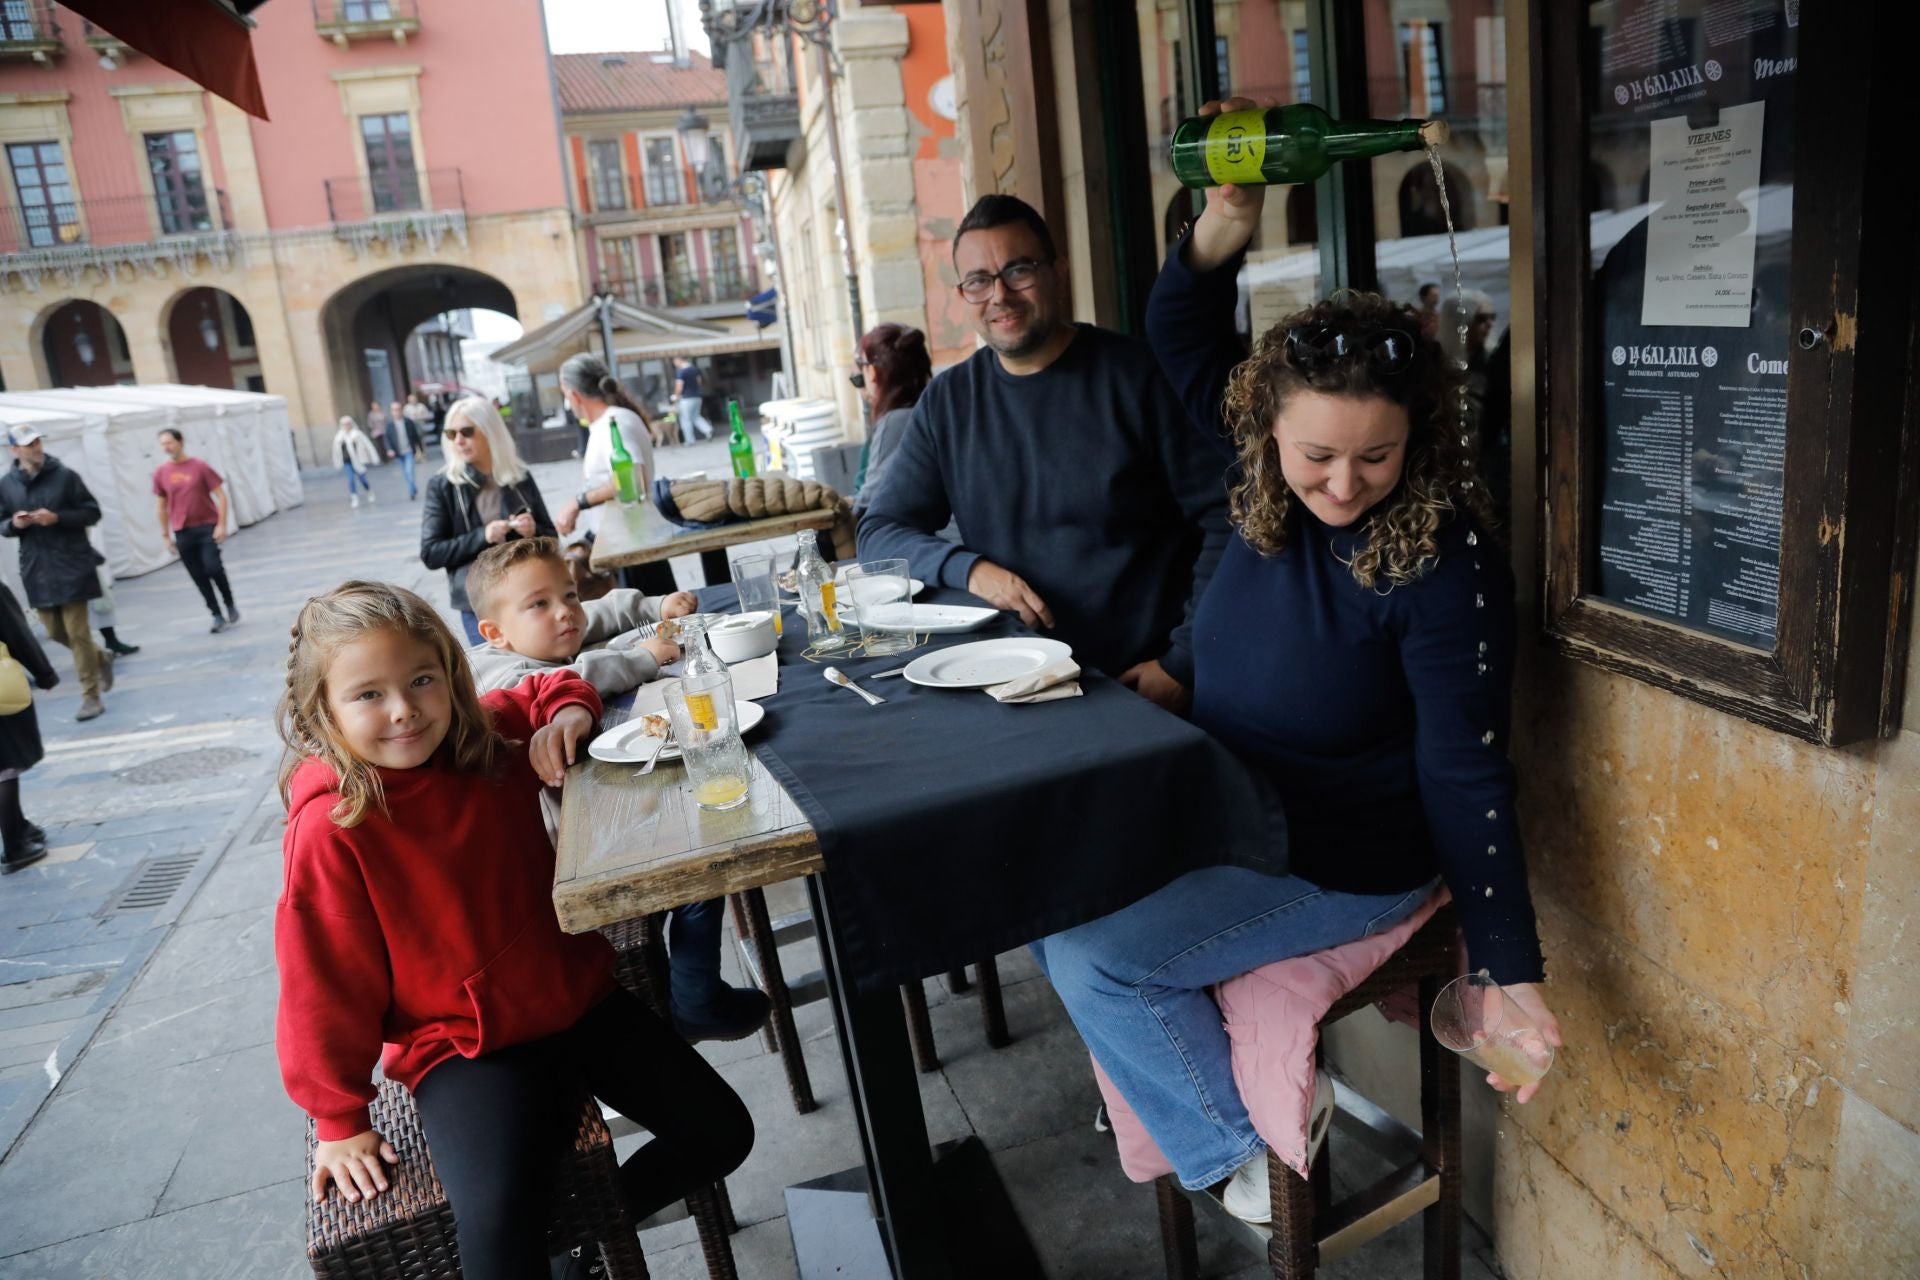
x,y
533,621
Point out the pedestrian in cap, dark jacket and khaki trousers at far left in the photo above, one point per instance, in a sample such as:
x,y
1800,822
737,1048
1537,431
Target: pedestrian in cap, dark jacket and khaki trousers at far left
x,y
47,508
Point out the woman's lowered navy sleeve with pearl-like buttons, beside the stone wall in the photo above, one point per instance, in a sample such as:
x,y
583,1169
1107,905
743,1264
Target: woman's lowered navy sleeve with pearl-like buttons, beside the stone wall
x,y
1456,646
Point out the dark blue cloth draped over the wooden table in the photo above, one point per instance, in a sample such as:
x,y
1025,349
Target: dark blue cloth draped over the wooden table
x,y
955,828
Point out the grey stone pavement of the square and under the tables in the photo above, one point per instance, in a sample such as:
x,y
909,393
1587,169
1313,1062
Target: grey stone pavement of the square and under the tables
x,y
141,1110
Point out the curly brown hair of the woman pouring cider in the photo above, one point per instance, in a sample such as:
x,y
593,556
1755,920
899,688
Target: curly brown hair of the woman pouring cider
x,y
1439,479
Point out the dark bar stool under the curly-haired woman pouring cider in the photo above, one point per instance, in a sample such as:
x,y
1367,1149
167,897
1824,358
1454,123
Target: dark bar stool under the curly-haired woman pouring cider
x,y
1308,1229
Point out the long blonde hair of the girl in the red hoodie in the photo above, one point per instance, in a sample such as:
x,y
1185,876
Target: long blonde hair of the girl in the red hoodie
x,y
308,728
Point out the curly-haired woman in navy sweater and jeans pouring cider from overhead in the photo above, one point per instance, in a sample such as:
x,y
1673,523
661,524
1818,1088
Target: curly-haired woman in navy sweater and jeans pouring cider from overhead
x,y
1356,646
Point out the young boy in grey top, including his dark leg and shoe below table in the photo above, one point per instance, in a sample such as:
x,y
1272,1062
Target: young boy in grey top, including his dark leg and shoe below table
x,y
533,621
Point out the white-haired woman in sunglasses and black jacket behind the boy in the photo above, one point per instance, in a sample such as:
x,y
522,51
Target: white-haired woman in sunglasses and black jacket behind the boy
x,y
485,496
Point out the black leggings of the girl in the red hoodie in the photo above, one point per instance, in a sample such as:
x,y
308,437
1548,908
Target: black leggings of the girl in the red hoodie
x,y
496,1127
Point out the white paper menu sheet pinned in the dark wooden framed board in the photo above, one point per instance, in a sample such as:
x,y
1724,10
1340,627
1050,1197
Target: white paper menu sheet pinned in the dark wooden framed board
x,y
1704,189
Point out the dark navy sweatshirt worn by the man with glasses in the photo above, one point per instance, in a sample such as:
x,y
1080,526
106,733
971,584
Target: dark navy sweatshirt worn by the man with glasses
x,y
1082,479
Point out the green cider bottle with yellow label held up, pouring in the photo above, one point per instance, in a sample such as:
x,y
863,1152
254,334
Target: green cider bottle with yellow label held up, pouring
x,y
1285,145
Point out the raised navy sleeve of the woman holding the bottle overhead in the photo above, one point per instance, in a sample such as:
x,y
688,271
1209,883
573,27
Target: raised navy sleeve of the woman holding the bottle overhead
x,y
1189,321
